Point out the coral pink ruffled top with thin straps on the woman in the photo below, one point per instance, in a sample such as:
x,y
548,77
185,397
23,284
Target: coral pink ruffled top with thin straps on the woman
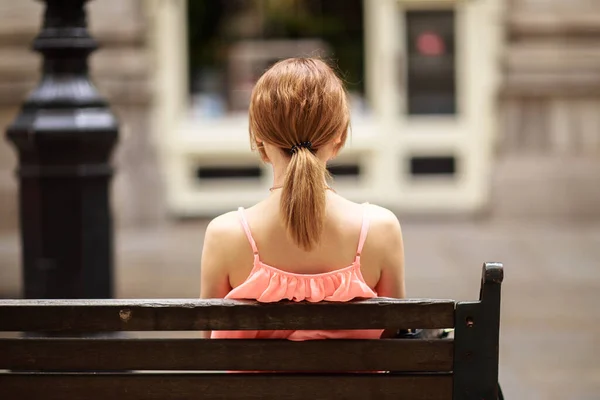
x,y
269,284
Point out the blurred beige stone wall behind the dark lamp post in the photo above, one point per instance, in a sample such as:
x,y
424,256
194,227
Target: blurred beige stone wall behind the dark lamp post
x,y
122,70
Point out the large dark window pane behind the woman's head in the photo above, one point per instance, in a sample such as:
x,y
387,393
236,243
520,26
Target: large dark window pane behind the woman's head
x,y
232,42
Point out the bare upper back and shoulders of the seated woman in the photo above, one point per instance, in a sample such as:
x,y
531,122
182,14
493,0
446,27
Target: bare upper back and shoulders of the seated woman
x,y
348,229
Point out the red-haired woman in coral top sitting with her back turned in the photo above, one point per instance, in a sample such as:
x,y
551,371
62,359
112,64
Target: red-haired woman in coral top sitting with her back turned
x,y
303,242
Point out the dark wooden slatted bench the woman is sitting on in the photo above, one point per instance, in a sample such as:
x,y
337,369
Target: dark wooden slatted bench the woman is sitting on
x,y
74,353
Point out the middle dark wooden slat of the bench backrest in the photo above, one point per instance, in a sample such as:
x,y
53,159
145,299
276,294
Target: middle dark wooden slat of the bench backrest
x,y
218,355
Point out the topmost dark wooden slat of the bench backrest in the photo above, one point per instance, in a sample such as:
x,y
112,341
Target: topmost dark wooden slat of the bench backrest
x,y
183,315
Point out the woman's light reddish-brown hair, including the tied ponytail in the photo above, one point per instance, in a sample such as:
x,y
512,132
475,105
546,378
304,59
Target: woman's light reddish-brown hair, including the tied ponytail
x,y
300,100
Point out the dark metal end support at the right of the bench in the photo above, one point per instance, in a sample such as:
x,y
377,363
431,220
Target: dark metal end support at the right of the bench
x,y
476,340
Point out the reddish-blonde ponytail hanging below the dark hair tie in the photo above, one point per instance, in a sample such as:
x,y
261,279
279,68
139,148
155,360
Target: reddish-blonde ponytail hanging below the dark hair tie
x,y
302,204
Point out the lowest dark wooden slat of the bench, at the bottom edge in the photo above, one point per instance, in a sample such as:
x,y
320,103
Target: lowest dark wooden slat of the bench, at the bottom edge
x,y
224,386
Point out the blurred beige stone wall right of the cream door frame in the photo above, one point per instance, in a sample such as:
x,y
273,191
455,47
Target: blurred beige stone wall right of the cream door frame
x,y
549,161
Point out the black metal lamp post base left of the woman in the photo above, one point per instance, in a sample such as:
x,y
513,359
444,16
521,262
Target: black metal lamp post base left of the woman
x,y
64,136
